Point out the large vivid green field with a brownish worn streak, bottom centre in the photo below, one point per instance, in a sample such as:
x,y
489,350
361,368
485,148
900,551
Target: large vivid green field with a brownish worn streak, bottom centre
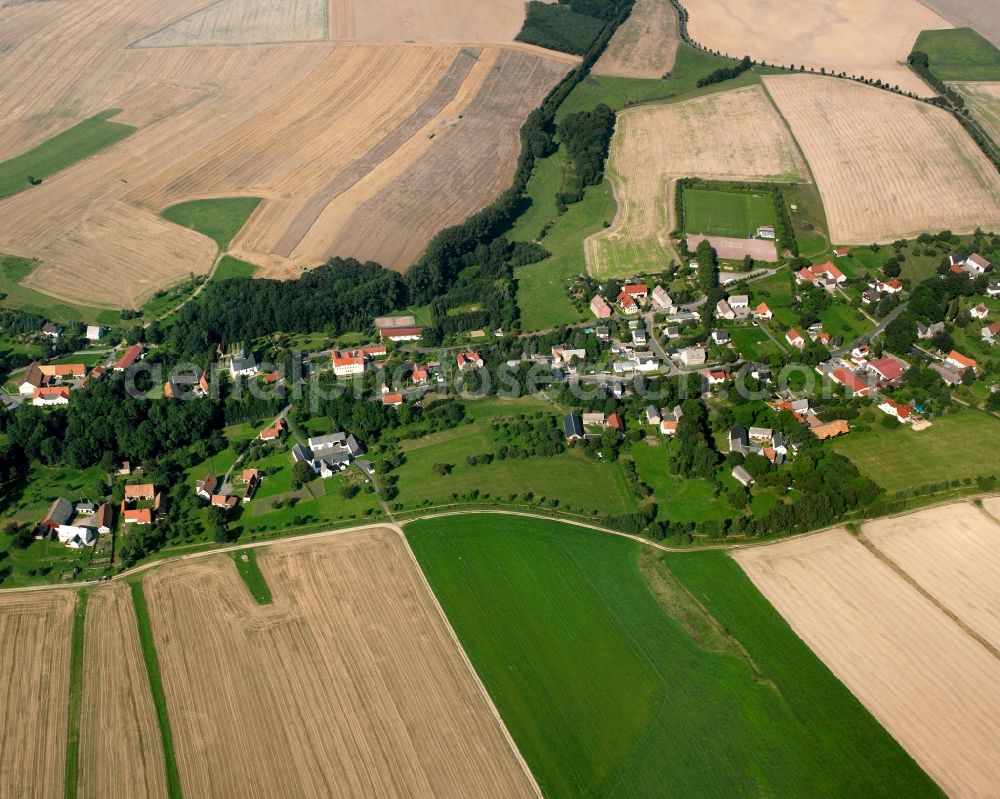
x,y
616,683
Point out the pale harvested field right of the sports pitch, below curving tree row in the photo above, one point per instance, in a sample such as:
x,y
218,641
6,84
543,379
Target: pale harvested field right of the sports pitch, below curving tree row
x,y
887,167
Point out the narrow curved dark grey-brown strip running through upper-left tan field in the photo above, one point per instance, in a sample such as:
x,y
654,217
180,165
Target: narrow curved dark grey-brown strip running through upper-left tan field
x,y
443,93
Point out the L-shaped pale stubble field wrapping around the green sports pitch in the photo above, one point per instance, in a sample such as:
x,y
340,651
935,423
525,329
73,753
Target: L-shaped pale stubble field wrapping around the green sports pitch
x,y
731,135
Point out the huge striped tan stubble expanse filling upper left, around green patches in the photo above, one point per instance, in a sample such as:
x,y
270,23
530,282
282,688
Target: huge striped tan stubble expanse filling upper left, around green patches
x,y
262,99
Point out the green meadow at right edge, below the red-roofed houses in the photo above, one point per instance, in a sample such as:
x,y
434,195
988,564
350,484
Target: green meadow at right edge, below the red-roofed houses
x,y
962,445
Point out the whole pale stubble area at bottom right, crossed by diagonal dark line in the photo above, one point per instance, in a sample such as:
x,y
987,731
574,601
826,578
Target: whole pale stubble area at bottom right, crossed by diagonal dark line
x,y
905,616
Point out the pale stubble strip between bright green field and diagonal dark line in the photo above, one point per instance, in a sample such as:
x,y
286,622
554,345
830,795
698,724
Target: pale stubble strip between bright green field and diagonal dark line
x,y
934,687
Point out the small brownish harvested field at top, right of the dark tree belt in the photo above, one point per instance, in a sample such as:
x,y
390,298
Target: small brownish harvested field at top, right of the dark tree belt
x,y
645,46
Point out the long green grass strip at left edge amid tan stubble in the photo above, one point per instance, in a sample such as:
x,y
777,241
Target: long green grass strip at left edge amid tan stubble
x,y
61,151
